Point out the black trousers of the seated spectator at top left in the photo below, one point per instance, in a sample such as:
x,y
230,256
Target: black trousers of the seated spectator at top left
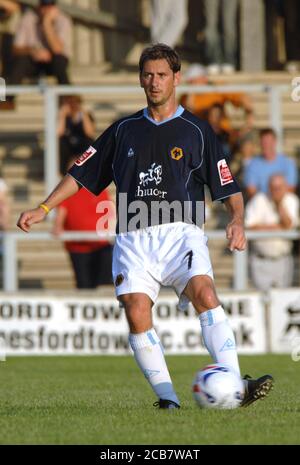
x,y
25,66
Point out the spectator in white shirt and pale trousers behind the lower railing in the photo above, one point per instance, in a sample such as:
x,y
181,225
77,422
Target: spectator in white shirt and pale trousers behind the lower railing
x,y
271,261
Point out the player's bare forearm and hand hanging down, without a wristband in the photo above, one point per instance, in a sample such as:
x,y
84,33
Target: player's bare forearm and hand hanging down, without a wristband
x,y
235,229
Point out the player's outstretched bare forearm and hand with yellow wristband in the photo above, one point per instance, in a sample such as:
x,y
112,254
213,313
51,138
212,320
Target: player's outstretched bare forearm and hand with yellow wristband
x,y
65,189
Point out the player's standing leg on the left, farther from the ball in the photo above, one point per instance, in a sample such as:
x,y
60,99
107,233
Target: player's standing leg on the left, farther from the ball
x,y
147,348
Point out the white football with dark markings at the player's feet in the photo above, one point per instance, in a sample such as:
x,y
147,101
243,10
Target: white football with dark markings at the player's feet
x,y
218,386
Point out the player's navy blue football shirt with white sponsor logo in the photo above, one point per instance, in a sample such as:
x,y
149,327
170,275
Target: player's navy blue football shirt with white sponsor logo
x,y
155,165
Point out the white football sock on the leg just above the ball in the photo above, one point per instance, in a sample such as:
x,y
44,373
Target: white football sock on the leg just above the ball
x,y
218,337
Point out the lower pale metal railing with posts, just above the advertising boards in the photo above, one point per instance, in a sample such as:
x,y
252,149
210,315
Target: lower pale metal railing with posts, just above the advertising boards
x,y
240,259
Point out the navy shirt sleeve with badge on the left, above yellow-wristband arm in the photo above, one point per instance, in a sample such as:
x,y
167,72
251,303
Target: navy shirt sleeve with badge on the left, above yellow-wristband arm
x,y
93,169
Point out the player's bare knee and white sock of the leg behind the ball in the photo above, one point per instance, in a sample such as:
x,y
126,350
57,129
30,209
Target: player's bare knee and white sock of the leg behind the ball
x,y
217,334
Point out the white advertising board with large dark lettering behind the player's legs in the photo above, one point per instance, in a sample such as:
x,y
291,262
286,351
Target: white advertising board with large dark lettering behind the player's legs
x,y
49,325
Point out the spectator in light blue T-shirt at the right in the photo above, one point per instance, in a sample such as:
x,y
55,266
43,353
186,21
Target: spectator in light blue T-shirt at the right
x,y
262,167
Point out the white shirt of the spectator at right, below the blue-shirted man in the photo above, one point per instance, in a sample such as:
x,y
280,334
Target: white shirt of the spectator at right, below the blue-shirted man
x,y
262,210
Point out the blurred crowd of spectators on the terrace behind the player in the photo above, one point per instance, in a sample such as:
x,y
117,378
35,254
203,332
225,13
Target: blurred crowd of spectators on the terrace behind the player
x,y
37,42
